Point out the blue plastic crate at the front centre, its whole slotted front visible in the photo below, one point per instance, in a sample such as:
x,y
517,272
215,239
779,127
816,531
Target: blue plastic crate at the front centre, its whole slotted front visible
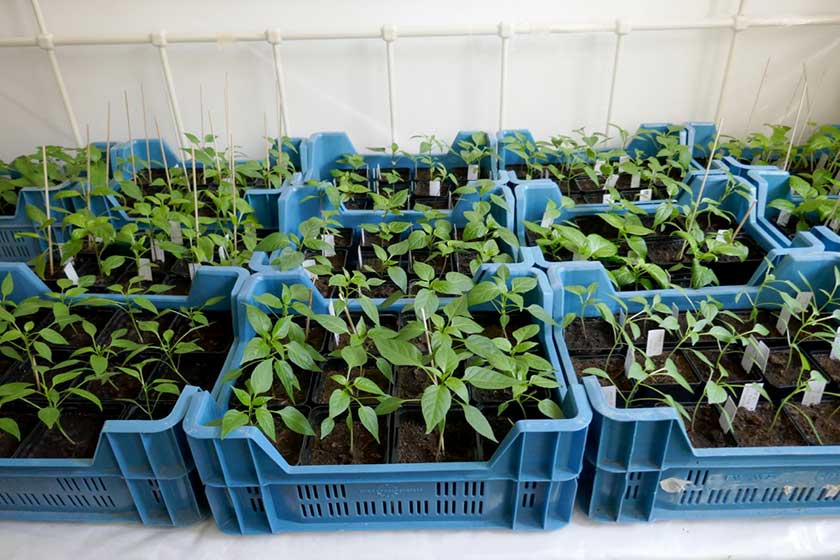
x,y
529,483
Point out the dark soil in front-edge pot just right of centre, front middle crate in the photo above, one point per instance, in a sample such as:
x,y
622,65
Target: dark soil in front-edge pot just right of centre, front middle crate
x,y
414,445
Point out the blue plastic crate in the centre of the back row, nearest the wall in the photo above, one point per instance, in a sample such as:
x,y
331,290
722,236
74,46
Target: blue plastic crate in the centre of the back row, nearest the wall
x,y
323,150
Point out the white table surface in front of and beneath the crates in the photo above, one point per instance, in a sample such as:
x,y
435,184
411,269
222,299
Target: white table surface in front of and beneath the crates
x,y
756,538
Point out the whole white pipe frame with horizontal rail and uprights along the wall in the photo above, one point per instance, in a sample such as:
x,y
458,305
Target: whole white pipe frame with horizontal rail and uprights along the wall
x,y
389,34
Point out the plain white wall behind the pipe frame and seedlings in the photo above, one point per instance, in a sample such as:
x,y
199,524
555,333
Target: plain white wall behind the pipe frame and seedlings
x,y
557,82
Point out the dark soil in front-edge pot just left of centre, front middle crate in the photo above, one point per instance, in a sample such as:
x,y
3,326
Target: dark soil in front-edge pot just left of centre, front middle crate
x,y
335,448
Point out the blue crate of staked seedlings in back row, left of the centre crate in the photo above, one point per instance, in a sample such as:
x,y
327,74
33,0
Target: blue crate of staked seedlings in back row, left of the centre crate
x,y
262,200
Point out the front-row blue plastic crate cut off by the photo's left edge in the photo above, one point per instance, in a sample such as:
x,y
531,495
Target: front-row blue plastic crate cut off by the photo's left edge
x,y
142,470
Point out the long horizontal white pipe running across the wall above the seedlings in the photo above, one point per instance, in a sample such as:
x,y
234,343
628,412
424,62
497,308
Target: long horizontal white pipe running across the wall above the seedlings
x,y
423,32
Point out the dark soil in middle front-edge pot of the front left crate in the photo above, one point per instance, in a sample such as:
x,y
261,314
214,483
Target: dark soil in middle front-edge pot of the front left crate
x,y
83,430
